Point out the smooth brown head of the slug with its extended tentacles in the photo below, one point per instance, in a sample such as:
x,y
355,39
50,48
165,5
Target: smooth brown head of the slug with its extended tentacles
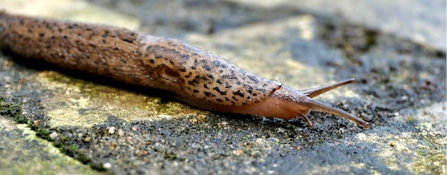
x,y
288,103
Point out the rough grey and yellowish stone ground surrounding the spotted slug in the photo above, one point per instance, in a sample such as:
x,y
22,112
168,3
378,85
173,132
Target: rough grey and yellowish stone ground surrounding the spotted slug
x,y
112,127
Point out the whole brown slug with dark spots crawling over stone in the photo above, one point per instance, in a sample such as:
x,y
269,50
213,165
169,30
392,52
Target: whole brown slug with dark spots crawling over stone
x,y
195,76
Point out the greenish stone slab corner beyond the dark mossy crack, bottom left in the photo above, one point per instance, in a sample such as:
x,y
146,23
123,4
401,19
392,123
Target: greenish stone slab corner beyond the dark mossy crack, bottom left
x,y
22,152
